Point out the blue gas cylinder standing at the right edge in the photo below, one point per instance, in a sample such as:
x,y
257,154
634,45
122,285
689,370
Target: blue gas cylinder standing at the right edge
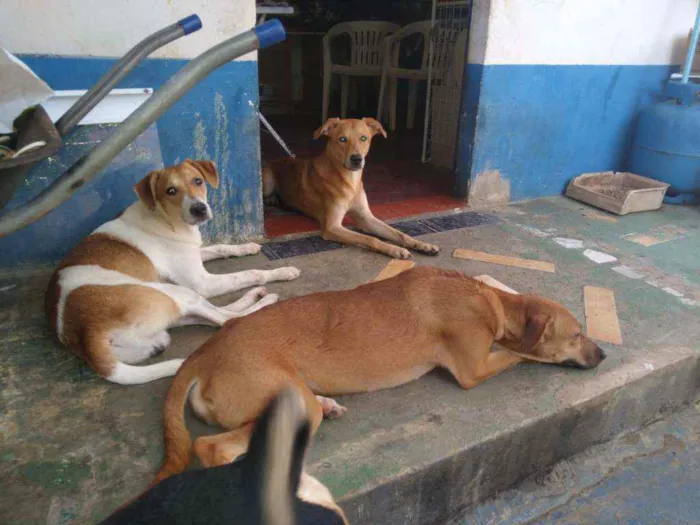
x,y
666,147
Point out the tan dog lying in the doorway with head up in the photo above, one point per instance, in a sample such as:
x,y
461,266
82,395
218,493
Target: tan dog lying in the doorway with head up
x,y
329,186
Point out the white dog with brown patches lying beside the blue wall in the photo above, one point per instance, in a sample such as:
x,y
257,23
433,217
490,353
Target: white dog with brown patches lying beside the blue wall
x,y
114,296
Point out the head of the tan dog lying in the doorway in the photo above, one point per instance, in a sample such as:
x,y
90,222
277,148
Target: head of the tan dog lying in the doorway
x,y
349,140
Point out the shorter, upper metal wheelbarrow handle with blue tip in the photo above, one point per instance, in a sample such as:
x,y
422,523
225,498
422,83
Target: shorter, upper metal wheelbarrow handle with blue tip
x,y
118,71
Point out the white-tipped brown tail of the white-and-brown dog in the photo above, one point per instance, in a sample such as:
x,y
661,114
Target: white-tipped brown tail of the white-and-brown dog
x,y
99,355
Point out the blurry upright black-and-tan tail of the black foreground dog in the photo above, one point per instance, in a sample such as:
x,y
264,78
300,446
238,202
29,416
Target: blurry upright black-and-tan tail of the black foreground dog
x,y
275,458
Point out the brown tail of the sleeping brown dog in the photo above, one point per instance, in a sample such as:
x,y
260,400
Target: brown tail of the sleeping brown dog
x,y
178,442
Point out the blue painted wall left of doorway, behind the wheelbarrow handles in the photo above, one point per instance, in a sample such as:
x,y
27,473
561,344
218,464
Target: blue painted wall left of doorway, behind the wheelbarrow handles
x,y
216,120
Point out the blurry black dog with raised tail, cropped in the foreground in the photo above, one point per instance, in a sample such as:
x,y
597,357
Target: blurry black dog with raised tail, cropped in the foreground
x,y
265,487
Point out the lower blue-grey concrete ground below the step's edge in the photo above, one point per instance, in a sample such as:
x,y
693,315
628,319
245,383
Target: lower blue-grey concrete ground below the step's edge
x,y
647,477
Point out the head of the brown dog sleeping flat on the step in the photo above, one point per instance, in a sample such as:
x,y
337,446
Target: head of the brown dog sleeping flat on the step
x,y
551,334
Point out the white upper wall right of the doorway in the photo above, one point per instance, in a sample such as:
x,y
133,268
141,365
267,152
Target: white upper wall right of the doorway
x,y
569,32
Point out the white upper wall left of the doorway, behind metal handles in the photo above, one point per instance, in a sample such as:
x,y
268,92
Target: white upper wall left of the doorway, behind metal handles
x,y
109,28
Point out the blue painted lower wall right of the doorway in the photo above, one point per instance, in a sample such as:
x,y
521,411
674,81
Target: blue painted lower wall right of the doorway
x,y
541,125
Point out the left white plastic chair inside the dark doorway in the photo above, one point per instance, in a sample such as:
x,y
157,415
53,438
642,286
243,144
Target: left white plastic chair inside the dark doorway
x,y
366,46
